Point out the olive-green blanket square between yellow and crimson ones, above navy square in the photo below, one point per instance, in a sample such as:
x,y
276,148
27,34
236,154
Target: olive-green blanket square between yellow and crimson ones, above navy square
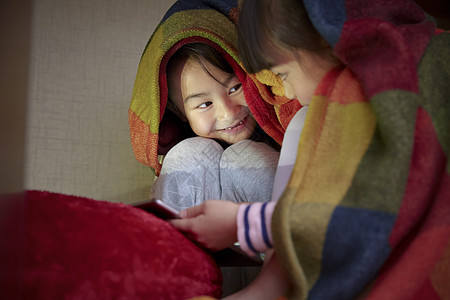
x,y
388,156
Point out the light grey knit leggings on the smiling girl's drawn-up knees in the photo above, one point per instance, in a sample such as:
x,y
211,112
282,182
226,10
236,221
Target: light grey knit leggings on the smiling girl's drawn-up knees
x,y
198,169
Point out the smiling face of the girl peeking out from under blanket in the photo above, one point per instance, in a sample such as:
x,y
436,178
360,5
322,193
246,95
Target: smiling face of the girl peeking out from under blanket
x,y
212,101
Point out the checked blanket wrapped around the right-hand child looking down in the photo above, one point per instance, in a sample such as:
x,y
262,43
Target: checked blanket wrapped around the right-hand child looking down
x,y
367,209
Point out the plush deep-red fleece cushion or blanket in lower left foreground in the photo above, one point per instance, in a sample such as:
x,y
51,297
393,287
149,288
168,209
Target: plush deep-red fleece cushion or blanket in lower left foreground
x,y
80,248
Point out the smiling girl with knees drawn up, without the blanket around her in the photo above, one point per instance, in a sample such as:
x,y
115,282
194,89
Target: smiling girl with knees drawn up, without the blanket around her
x,y
230,158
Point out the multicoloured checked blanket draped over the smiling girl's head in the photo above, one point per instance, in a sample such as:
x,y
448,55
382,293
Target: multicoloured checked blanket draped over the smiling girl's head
x,y
154,130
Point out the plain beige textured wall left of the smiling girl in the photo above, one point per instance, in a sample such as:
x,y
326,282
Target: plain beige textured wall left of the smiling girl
x,y
84,58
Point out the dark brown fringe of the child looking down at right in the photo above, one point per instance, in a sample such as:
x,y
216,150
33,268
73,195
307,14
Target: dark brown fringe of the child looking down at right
x,y
266,28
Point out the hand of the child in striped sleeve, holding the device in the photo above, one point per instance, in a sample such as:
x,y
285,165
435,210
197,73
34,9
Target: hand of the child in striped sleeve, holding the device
x,y
212,224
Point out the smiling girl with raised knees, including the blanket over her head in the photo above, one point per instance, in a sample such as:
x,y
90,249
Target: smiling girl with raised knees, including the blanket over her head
x,y
196,117
